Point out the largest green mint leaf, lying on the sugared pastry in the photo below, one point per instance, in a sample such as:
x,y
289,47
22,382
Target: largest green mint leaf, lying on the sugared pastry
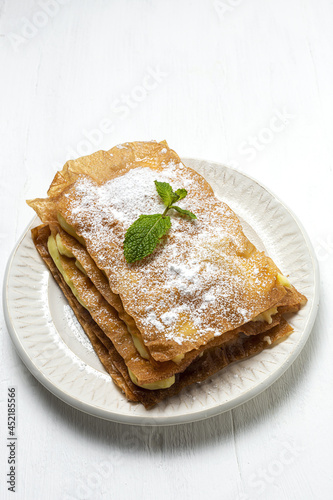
x,y
143,235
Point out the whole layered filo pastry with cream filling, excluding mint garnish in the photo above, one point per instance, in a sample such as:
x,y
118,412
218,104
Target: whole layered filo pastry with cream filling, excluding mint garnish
x,y
204,298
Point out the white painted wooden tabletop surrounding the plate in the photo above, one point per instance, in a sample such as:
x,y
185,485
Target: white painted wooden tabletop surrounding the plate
x,y
213,79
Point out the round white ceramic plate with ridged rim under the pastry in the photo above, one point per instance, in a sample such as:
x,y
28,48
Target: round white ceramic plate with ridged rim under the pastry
x,y
55,349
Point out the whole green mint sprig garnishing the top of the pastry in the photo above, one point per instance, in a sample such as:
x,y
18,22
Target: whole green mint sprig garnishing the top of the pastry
x,y
143,235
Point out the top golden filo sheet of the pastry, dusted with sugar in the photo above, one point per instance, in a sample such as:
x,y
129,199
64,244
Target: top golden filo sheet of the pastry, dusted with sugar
x,y
204,280
